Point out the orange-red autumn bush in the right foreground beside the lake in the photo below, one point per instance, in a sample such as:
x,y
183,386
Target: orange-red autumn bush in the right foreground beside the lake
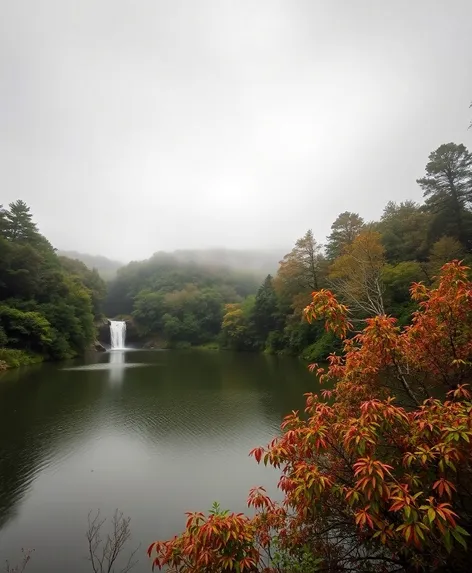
x,y
376,474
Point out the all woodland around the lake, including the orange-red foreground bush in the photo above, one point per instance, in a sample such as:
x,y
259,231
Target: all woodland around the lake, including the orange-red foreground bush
x,y
375,474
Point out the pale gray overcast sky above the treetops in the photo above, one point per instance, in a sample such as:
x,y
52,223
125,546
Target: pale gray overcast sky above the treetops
x,y
131,126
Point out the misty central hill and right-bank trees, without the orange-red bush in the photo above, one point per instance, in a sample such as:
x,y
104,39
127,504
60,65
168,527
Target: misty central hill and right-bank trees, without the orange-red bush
x,y
370,265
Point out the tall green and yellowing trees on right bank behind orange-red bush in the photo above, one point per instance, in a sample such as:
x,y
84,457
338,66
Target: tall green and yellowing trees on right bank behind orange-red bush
x,y
369,265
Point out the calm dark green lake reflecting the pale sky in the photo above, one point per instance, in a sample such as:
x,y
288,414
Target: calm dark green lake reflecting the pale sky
x,y
153,433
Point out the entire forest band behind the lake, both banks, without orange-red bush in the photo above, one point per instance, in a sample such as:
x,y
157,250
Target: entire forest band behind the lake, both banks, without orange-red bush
x,y
51,305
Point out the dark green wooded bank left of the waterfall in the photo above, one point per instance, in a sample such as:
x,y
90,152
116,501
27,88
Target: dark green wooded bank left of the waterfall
x,y
48,304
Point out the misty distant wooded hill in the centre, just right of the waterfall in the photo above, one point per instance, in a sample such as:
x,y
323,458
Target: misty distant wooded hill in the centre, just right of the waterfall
x,y
181,302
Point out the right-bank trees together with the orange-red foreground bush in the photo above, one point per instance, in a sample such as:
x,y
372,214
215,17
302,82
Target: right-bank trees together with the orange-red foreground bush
x,y
375,473
